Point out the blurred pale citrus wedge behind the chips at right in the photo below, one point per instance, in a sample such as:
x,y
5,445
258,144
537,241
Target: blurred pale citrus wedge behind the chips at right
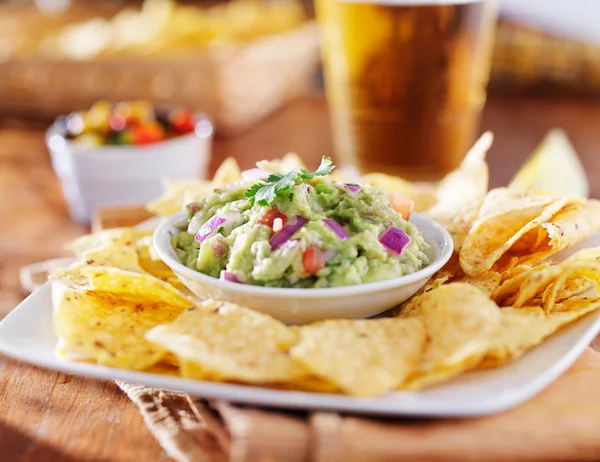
x,y
553,169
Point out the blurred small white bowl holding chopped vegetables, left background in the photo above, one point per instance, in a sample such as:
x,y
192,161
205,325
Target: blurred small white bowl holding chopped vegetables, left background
x,y
125,175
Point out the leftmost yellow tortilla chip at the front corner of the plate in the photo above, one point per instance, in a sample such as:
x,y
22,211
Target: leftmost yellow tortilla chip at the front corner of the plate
x,y
109,328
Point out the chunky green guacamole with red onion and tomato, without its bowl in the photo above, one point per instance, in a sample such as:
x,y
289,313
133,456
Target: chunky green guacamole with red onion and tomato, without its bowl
x,y
299,230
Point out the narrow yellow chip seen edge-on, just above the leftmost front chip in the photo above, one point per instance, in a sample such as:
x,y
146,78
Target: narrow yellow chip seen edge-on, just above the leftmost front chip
x,y
143,286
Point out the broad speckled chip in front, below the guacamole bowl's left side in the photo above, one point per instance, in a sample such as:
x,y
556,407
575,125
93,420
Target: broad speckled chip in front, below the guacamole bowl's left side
x,y
225,342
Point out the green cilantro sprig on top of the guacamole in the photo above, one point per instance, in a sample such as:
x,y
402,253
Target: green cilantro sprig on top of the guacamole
x,y
278,184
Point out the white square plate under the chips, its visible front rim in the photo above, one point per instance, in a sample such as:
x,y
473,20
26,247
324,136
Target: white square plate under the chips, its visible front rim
x,y
27,334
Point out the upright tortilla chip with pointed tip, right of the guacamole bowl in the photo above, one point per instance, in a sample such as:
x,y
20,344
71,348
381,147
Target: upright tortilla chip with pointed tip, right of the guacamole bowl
x,y
461,193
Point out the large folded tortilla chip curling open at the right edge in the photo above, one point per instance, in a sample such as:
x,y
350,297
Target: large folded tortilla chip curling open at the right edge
x,y
515,229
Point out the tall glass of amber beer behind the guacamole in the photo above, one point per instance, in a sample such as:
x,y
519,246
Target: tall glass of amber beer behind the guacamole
x,y
406,81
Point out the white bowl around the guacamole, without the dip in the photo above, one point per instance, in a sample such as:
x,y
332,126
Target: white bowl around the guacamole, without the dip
x,y
300,306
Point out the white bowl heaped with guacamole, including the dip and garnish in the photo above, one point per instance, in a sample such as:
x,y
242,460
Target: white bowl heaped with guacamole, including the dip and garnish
x,y
299,234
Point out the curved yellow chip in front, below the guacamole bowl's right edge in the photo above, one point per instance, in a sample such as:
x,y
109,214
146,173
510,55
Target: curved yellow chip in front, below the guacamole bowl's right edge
x,y
459,321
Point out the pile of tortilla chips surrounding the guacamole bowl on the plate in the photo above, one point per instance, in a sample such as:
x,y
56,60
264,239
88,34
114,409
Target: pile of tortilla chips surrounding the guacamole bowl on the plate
x,y
500,295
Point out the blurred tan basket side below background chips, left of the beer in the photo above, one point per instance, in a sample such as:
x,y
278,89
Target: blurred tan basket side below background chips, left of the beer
x,y
236,86
